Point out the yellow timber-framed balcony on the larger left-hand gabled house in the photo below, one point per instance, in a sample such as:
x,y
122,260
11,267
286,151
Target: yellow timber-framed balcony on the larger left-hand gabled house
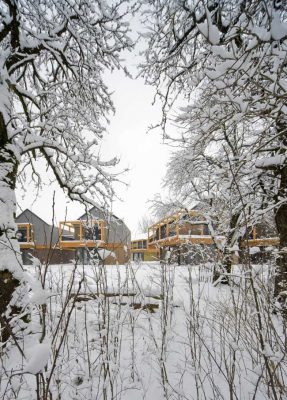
x,y
75,234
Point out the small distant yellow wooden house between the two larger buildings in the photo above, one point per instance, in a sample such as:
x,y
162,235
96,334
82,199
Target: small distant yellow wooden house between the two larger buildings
x,y
140,251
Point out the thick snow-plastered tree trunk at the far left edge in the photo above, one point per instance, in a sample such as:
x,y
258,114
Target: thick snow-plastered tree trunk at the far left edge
x,y
10,259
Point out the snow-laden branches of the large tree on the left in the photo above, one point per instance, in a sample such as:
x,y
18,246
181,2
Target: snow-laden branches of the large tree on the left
x,y
54,103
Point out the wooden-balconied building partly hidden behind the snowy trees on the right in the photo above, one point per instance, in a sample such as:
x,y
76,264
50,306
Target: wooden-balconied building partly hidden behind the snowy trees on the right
x,y
184,237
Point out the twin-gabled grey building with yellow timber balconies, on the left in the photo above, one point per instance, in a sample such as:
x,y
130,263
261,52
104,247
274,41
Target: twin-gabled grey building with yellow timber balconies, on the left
x,y
96,233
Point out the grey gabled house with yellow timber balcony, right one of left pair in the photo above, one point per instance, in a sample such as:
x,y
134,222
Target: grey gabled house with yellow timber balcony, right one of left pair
x,y
96,233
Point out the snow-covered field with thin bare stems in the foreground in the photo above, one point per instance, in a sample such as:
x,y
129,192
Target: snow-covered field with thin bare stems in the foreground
x,y
147,331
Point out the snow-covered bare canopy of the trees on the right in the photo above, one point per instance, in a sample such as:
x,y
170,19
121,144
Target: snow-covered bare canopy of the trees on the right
x,y
226,60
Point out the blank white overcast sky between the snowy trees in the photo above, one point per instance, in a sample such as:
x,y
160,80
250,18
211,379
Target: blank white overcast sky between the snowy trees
x,y
143,153
